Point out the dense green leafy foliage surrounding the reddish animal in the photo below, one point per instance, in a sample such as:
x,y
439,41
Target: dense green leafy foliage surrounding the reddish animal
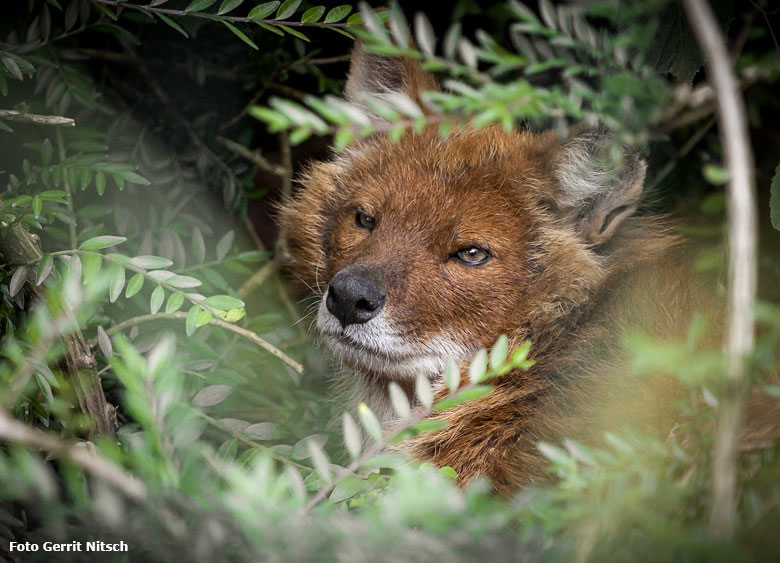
x,y
157,385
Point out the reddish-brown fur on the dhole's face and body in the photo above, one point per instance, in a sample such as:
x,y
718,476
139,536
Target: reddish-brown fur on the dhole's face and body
x,y
545,283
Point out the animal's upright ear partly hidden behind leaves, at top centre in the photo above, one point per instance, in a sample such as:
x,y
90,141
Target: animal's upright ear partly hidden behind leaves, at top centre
x,y
374,75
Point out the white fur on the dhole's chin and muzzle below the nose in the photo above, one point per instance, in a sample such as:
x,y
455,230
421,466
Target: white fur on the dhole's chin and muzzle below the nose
x,y
377,347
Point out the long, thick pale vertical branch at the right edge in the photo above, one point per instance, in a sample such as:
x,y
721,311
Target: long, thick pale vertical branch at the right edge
x,y
741,207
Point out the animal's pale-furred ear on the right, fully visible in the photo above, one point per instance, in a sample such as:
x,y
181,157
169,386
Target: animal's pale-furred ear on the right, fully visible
x,y
599,184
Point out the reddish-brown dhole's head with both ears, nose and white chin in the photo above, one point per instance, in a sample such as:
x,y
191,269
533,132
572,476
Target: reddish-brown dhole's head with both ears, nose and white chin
x,y
428,248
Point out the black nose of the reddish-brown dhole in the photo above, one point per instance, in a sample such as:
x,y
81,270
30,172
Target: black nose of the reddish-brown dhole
x,y
355,297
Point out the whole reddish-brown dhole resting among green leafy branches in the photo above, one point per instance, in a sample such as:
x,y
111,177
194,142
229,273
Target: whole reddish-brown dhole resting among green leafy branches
x,y
430,248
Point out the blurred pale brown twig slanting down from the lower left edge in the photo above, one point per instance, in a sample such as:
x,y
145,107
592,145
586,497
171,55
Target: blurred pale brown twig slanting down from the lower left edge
x,y
15,432
